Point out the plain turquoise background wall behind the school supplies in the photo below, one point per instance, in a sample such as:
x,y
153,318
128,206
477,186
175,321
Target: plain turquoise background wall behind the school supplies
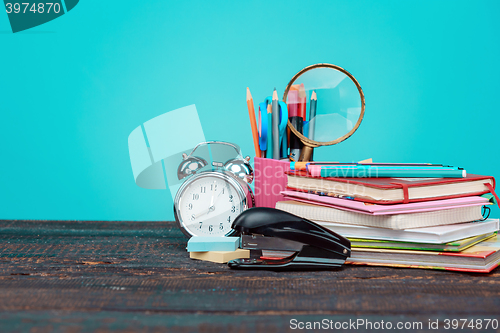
x,y
73,89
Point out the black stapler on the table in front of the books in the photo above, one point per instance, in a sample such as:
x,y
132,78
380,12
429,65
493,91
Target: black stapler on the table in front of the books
x,y
287,242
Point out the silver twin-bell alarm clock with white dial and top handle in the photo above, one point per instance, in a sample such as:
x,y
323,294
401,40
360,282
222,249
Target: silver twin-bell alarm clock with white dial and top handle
x,y
215,192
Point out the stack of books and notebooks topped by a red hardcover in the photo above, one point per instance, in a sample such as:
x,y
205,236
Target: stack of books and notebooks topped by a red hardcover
x,y
402,222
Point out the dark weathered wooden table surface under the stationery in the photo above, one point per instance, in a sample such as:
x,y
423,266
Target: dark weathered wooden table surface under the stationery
x,y
136,276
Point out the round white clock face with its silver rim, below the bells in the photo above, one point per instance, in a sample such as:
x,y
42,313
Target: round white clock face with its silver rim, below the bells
x,y
208,203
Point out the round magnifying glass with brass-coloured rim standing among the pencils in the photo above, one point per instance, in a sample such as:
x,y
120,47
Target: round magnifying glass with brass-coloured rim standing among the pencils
x,y
325,107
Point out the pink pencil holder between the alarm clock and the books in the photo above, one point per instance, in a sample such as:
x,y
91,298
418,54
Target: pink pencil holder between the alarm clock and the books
x,y
270,179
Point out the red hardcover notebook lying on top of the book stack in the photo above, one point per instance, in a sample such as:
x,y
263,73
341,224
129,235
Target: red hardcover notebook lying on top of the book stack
x,y
392,190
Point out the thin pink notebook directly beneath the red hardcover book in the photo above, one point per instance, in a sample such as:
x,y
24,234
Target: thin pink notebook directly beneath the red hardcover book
x,y
373,209
